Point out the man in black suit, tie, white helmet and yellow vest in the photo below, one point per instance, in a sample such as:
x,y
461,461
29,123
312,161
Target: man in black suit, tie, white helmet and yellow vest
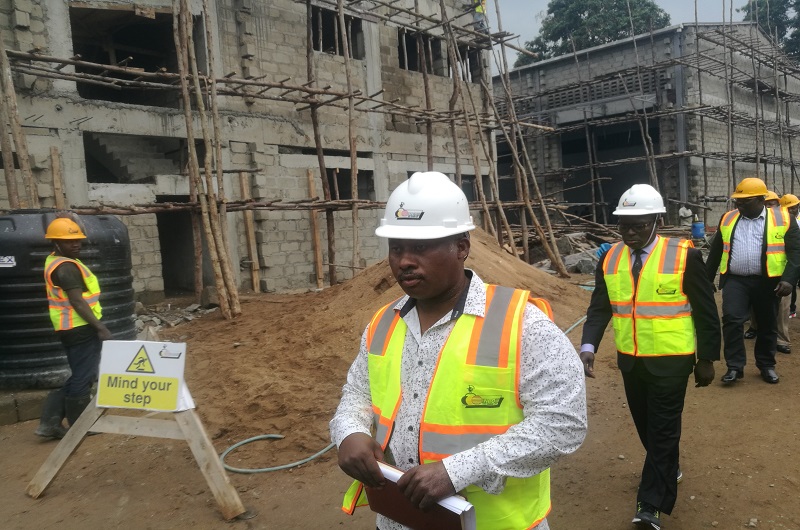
x,y
662,305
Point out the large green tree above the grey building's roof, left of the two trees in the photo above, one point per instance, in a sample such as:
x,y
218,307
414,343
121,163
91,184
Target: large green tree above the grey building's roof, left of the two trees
x,y
591,23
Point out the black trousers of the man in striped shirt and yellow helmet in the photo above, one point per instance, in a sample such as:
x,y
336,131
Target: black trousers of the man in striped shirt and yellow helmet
x,y
738,294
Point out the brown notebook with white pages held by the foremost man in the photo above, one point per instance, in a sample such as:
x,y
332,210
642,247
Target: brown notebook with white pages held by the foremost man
x,y
452,513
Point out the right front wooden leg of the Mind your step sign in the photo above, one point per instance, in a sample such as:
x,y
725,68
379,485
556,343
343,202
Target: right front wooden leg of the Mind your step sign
x,y
210,464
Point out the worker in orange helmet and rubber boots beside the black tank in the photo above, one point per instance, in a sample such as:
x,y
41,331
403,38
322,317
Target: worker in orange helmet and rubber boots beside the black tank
x,y
73,293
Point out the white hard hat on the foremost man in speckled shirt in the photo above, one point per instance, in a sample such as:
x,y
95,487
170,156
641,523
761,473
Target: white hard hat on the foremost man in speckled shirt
x,y
426,206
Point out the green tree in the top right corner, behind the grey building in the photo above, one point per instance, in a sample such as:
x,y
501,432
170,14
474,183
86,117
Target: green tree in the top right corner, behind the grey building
x,y
777,18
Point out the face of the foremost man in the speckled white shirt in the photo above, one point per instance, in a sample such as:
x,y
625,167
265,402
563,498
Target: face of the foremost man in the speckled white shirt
x,y
427,269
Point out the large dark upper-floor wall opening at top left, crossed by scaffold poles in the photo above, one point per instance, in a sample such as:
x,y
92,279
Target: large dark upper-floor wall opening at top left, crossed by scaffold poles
x,y
141,43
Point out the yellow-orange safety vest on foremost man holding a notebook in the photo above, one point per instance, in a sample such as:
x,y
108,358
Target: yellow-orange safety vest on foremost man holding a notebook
x,y
472,397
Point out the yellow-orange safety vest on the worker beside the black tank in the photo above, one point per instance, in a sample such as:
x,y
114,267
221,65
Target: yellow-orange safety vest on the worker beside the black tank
x,y
62,314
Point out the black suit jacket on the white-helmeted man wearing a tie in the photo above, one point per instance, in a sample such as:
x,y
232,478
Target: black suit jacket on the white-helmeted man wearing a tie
x,y
700,293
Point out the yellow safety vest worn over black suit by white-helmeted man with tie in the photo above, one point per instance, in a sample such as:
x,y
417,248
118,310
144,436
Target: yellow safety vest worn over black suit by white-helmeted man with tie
x,y
654,318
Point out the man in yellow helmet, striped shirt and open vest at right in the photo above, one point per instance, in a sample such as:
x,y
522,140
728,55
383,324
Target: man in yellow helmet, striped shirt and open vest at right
x,y
757,250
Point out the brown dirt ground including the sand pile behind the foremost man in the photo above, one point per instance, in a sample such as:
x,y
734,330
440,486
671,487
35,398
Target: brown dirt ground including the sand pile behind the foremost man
x,y
279,369
